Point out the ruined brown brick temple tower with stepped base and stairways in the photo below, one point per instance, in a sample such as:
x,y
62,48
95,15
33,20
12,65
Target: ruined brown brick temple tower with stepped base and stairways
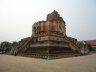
x,y
49,40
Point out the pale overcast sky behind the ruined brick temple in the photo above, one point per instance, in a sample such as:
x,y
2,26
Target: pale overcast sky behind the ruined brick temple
x,y
18,16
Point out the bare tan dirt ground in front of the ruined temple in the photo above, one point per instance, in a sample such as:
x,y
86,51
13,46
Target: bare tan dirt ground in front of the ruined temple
x,y
10,63
